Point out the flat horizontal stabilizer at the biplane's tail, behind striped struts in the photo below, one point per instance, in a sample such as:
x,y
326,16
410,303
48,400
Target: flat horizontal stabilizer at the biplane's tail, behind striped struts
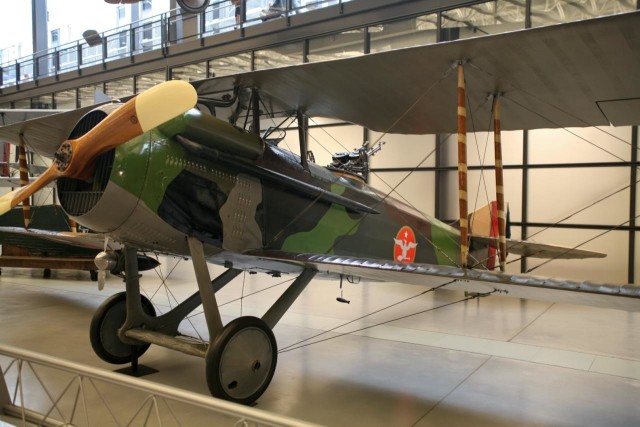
x,y
538,250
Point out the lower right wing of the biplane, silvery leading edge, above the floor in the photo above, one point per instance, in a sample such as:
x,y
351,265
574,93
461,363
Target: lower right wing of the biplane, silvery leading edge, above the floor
x,y
514,285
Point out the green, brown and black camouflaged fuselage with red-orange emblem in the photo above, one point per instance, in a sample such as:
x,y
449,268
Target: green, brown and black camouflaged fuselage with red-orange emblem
x,y
183,179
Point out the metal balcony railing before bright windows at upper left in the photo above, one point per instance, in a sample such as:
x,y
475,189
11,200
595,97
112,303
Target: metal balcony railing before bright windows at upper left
x,y
154,33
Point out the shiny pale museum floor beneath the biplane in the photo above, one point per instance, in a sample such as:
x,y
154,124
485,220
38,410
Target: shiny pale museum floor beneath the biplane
x,y
489,362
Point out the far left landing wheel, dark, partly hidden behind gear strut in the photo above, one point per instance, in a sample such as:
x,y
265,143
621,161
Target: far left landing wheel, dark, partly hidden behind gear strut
x,y
105,323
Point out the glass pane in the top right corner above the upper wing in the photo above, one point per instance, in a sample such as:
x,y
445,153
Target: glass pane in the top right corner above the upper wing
x,y
544,12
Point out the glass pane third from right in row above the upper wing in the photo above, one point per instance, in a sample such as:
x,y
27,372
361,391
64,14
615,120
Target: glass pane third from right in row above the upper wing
x,y
409,32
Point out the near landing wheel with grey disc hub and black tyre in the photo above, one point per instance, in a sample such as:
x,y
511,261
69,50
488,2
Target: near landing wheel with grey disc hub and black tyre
x,y
242,360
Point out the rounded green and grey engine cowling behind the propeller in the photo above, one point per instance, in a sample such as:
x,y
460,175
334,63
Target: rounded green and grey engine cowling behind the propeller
x,y
110,200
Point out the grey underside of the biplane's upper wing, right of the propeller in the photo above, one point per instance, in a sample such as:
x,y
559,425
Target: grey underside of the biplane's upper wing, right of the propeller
x,y
577,74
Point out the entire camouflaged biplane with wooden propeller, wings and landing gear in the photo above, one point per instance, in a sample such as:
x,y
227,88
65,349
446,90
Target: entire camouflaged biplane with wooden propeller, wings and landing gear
x,y
156,174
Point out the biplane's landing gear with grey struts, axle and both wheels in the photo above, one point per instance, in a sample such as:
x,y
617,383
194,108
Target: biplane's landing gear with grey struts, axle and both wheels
x,y
240,357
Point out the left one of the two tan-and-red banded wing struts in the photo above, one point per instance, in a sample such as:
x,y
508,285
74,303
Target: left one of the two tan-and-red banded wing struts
x,y
462,166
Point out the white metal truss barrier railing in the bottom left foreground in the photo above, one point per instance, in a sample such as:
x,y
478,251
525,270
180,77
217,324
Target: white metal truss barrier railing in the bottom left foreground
x,y
44,390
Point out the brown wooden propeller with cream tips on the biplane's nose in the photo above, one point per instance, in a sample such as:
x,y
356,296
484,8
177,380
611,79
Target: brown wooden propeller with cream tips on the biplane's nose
x,y
75,158
